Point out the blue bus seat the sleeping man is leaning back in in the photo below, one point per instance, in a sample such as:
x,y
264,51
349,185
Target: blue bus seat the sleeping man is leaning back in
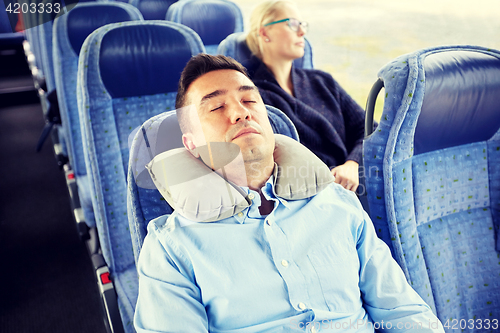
x,y
145,202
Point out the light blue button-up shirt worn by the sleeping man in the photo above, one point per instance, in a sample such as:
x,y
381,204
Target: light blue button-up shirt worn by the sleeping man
x,y
314,264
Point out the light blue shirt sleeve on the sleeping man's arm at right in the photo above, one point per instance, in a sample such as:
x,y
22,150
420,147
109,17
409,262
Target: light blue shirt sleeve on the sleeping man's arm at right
x,y
391,302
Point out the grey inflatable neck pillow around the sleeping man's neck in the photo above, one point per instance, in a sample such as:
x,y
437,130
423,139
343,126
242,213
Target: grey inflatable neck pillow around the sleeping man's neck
x,y
201,195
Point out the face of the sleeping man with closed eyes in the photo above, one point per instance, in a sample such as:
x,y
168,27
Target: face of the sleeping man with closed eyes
x,y
230,109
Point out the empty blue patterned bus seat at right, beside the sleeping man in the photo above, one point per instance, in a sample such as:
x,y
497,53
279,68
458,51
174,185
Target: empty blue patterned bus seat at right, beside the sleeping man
x,y
433,177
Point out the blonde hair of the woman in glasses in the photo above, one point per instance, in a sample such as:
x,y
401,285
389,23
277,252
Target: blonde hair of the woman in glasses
x,y
264,13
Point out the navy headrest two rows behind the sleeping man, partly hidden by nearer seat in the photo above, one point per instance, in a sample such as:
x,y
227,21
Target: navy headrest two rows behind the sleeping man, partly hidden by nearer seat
x,y
84,19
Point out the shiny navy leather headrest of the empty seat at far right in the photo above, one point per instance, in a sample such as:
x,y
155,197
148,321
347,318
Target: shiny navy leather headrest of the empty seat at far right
x,y
461,100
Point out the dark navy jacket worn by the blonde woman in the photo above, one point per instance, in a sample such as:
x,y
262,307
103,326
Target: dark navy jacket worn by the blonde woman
x,y
329,122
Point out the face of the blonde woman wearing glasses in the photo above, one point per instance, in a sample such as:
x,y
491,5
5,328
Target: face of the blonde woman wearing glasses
x,y
284,43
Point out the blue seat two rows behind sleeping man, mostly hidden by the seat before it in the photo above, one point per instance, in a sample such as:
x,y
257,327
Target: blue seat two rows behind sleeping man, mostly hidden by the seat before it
x,y
69,32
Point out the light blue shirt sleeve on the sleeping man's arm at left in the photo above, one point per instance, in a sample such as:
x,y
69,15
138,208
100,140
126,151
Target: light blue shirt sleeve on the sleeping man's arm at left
x,y
169,300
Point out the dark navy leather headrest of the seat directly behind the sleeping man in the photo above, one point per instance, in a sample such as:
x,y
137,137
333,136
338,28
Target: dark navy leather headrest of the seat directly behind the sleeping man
x,y
133,58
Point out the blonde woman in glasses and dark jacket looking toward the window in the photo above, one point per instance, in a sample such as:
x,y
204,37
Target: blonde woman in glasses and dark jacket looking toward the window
x,y
329,121
